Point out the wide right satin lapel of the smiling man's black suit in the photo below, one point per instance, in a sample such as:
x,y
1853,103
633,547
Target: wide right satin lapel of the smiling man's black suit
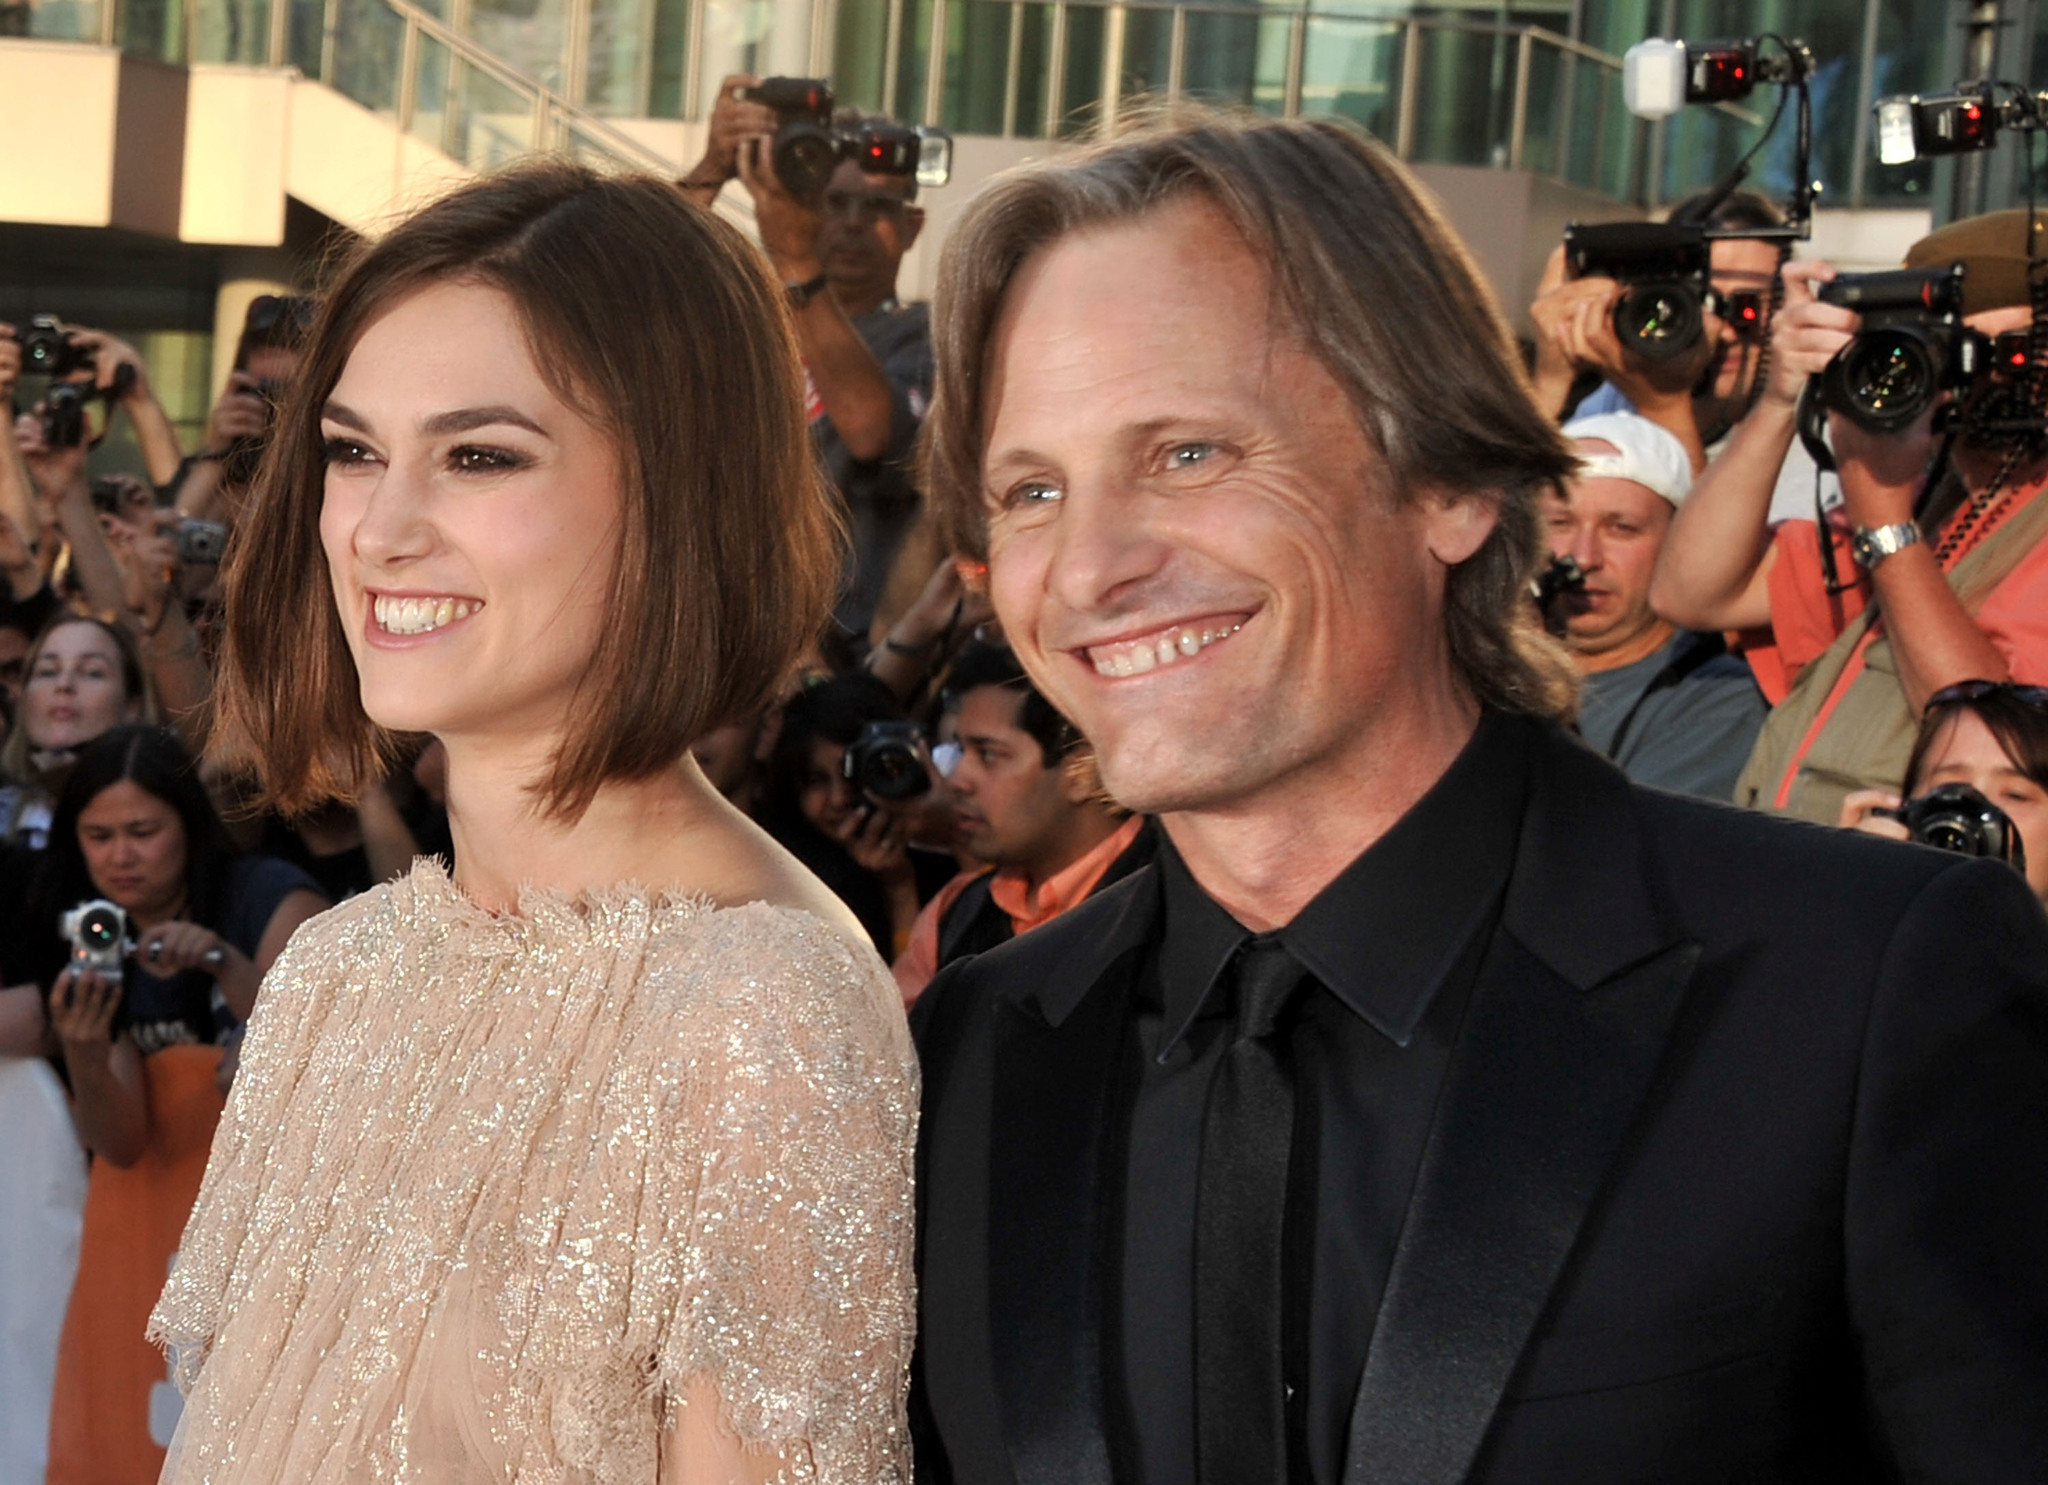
x,y
1566,1031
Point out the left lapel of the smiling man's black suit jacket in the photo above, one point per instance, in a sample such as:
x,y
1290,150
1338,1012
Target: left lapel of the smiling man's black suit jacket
x,y
1052,1177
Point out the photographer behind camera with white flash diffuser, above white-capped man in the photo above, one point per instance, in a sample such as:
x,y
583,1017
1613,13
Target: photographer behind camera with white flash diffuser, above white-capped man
x,y
1699,394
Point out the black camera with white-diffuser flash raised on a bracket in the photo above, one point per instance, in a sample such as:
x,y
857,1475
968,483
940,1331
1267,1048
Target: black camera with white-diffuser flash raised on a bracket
x,y
1664,267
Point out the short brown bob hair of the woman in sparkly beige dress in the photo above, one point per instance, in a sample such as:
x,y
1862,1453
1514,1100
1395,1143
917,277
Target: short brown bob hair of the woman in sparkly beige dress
x,y
665,329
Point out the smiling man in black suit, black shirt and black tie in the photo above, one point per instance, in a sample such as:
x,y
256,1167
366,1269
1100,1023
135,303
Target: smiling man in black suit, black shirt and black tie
x,y
1439,1107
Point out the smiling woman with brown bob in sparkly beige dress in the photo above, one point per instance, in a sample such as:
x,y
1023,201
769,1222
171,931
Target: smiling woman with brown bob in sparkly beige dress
x,y
591,1162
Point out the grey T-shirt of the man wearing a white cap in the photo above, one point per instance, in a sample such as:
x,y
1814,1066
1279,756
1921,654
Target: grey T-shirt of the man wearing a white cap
x,y
1680,720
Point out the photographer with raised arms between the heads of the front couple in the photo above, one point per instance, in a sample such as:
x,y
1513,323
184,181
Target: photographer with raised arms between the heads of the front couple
x,y
867,353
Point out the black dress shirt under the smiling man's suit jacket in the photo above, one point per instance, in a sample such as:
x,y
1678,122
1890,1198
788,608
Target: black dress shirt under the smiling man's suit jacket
x,y
1392,947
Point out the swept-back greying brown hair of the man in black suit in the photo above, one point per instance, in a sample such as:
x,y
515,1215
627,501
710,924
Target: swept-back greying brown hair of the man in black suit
x,y
1367,275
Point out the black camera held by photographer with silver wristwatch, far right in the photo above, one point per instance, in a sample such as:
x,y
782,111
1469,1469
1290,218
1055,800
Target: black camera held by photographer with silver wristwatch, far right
x,y
1910,349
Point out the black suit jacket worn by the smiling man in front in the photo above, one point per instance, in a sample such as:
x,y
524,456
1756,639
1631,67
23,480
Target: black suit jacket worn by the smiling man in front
x,y
1740,1173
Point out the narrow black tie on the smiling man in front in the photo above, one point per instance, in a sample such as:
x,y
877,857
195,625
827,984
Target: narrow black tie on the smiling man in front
x,y
1240,1396
